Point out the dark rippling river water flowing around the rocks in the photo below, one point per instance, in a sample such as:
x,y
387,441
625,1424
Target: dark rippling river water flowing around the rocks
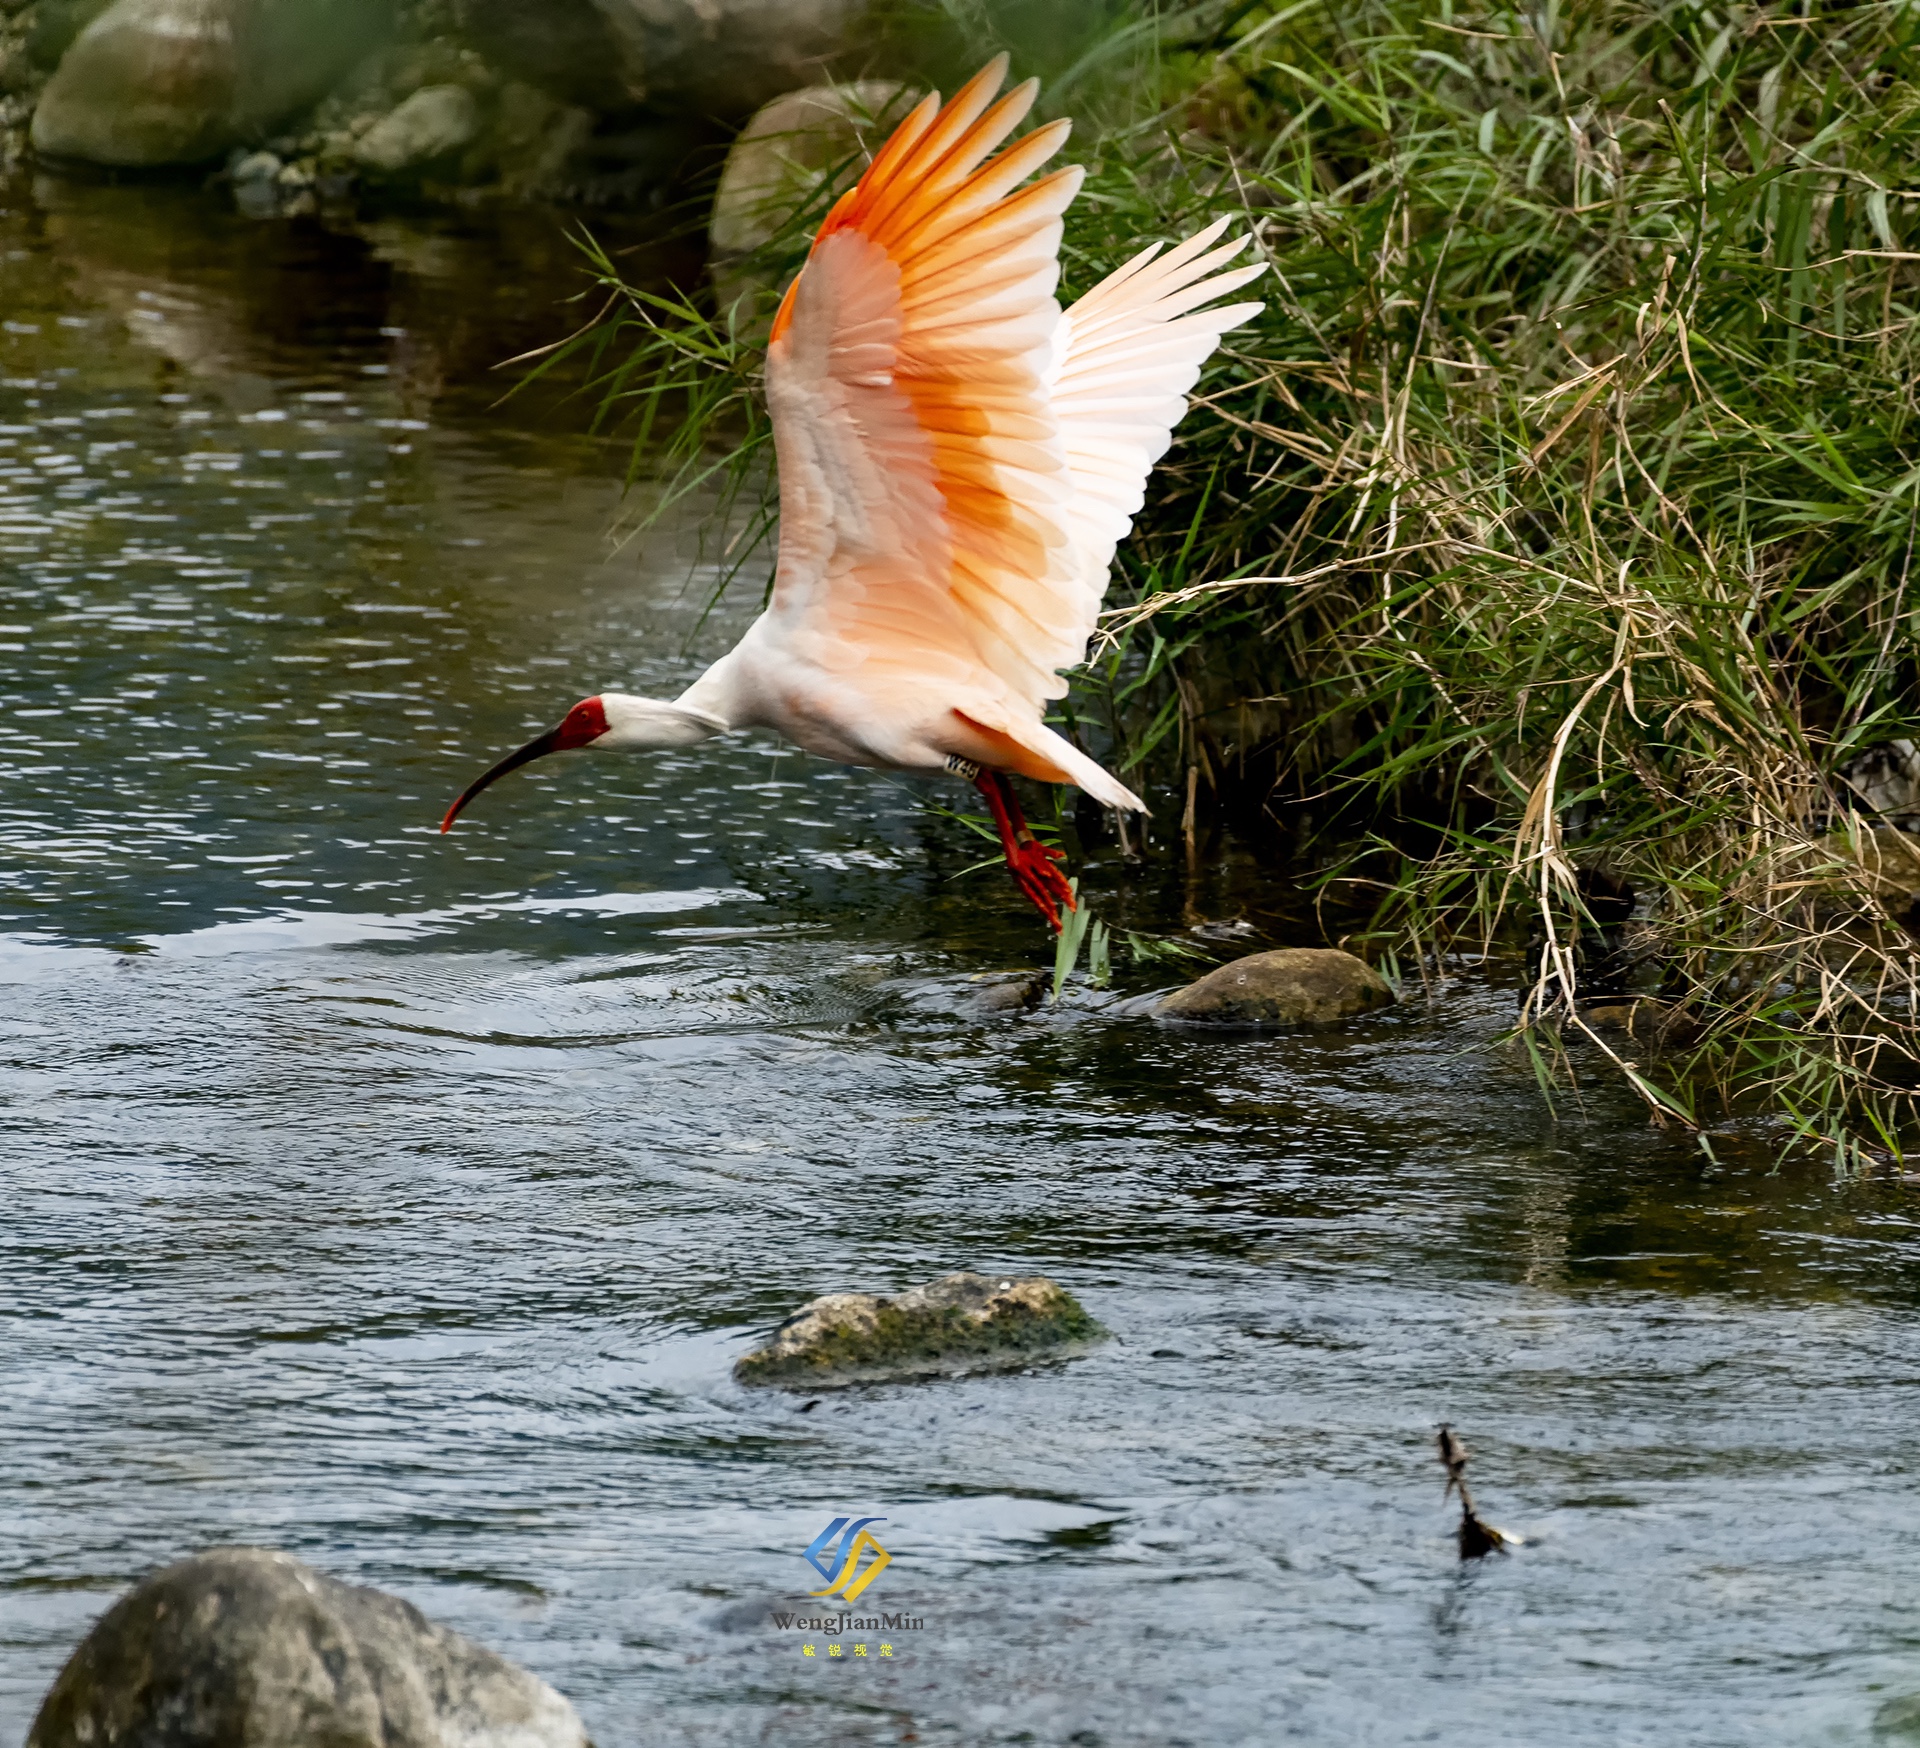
x,y
402,1202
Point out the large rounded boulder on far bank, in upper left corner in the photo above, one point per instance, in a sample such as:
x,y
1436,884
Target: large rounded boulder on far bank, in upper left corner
x,y
180,82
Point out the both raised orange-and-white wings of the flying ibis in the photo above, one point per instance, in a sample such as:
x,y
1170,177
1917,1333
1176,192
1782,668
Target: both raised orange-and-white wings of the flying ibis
x,y
957,458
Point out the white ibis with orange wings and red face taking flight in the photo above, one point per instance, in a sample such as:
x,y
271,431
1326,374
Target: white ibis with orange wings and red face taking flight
x,y
959,460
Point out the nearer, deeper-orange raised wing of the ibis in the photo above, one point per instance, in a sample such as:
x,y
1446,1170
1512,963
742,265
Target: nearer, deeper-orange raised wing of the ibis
x,y
923,483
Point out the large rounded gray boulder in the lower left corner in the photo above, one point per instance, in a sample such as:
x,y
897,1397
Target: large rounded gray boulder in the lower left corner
x,y
249,1649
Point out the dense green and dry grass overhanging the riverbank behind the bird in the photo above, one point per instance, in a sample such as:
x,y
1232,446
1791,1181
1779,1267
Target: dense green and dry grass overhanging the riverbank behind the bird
x,y
1545,552
